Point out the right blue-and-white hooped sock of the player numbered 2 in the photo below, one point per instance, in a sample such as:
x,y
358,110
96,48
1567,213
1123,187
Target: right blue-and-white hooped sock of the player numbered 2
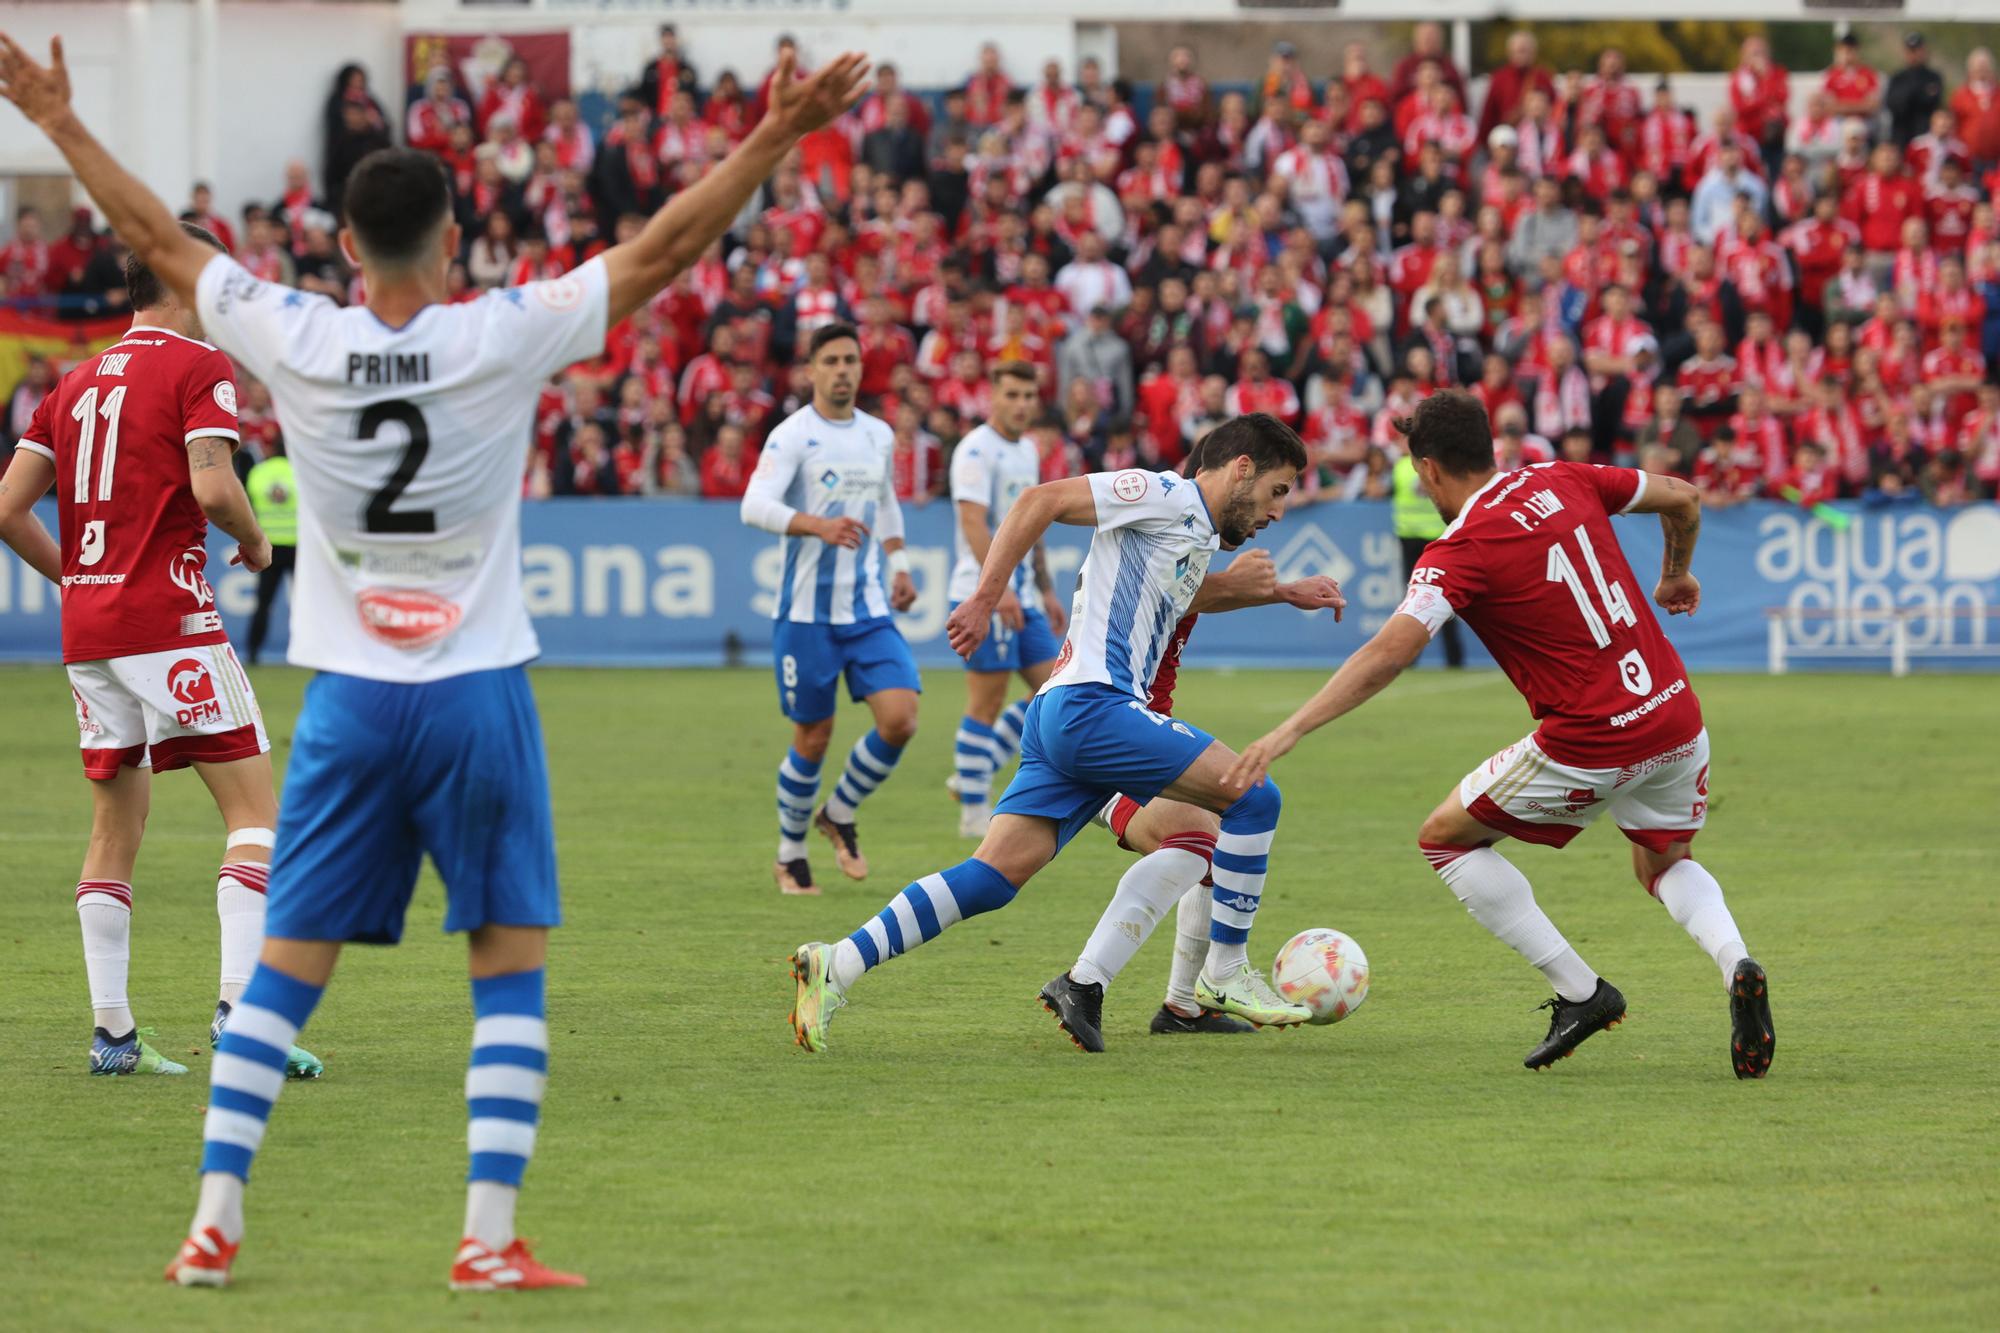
x,y
503,1098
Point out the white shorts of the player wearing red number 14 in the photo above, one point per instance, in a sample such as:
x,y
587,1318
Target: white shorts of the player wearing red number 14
x,y
1527,796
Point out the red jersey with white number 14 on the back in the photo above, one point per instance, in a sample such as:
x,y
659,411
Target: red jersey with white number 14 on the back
x,y
1535,569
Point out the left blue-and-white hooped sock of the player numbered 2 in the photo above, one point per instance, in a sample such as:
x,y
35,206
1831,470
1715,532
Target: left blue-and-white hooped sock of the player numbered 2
x,y
243,1084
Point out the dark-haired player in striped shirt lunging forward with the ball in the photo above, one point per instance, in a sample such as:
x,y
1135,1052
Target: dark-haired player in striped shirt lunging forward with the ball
x,y
1091,732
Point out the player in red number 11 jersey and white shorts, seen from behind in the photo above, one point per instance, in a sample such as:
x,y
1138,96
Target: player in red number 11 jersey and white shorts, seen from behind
x,y
137,443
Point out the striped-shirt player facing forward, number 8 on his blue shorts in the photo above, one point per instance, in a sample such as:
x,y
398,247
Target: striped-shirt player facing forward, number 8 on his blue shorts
x,y
827,485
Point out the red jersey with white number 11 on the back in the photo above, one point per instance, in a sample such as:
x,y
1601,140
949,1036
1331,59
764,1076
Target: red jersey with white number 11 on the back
x,y
133,535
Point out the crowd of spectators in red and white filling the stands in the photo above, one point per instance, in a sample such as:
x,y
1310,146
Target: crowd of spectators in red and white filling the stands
x,y
1771,305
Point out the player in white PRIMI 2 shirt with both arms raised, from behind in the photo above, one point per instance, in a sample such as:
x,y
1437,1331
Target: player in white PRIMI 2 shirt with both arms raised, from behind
x,y
409,425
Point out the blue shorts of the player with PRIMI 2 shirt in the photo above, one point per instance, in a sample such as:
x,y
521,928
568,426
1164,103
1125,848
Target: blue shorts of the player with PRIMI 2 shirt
x,y
383,774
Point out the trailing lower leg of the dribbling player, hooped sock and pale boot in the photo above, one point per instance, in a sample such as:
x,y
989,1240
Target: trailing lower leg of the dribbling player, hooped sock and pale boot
x,y
1009,856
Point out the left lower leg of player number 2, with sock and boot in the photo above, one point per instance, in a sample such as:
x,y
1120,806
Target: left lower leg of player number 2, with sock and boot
x,y
243,1086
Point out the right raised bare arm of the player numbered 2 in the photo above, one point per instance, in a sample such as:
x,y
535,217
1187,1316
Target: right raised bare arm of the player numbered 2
x,y
699,215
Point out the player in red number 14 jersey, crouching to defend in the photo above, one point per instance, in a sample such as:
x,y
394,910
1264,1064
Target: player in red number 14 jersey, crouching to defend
x,y
1531,563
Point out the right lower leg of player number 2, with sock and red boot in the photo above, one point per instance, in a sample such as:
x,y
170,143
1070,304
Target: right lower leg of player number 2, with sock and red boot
x,y
505,1108
